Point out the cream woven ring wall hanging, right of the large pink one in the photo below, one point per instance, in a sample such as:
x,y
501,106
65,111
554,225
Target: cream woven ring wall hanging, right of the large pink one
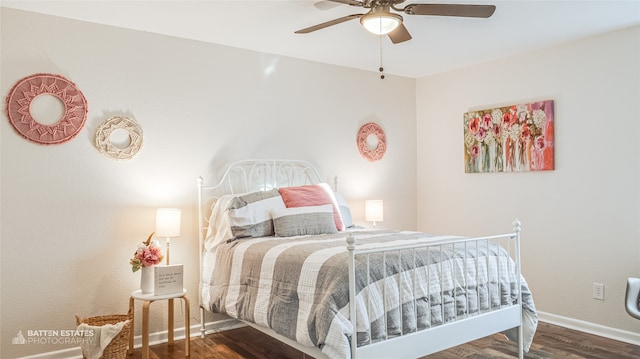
x,y
125,149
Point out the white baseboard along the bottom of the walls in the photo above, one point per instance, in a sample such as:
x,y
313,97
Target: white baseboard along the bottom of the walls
x,y
222,325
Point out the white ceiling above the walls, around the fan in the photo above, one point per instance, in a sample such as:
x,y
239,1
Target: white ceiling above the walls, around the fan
x,y
439,43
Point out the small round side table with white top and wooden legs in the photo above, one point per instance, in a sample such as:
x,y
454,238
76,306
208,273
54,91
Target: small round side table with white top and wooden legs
x,y
148,299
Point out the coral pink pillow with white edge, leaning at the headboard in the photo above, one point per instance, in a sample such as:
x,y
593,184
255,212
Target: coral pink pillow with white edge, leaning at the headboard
x,y
312,195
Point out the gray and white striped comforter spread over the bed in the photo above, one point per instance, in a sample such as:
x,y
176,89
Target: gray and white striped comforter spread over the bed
x,y
298,286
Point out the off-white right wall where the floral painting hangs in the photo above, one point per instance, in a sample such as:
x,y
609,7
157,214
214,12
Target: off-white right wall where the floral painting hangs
x,y
580,221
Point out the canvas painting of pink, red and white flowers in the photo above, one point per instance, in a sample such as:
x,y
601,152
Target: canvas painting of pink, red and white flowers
x,y
514,138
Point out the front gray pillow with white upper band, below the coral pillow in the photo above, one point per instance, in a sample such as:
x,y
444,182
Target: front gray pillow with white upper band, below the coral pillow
x,y
298,221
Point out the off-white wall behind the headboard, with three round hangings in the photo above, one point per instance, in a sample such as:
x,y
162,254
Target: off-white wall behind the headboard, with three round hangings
x,y
71,217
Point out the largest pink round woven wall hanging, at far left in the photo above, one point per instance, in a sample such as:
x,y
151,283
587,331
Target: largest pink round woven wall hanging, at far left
x,y
29,119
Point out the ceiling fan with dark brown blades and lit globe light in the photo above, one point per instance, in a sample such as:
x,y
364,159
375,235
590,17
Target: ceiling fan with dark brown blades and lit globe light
x,y
380,20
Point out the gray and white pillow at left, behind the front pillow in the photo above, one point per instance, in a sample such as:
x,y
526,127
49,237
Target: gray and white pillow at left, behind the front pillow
x,y
249,214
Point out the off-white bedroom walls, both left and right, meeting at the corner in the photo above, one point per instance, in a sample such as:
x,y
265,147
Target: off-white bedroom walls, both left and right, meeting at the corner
x,y
71,217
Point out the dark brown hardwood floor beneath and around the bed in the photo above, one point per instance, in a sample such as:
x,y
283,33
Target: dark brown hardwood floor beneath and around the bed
x,y
550,342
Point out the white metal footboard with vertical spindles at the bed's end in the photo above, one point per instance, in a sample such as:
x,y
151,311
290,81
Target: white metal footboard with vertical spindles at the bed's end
x,y
464,298
